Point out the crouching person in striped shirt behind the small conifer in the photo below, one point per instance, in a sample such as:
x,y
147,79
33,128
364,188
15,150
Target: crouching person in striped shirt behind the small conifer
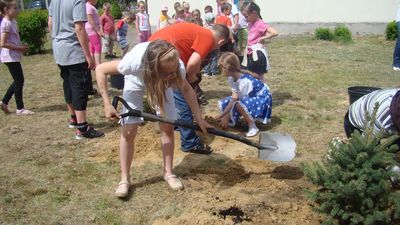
x,y
387,115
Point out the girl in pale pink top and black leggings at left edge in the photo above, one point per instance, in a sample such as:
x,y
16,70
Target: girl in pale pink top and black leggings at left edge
x,y
11,55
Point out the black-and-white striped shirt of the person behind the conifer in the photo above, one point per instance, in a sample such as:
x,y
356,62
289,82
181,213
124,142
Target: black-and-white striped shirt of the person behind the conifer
x,y
366,104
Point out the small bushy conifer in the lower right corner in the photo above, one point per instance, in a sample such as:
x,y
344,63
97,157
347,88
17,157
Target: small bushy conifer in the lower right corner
x,y
355,181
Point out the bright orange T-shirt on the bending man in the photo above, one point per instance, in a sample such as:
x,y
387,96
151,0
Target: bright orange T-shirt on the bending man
x,y
187,38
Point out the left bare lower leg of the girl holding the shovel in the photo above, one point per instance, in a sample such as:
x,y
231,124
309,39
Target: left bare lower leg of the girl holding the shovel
x,y
126,149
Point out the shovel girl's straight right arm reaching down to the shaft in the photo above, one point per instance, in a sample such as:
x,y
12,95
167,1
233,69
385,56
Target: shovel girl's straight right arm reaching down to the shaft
x,y
191,99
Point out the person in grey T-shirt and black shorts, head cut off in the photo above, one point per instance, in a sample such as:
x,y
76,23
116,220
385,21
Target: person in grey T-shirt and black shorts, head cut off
x,y
71,52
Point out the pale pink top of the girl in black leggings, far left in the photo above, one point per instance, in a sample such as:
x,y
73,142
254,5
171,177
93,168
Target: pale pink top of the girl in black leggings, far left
x,y
8,55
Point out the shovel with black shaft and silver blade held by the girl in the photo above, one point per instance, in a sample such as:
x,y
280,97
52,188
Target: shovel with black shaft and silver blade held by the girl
x,y
271,146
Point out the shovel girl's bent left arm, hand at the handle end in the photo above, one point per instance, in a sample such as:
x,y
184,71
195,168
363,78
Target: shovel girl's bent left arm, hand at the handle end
x,y
102,70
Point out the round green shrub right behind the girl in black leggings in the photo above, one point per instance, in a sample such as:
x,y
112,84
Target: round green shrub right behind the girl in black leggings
x,y
32,25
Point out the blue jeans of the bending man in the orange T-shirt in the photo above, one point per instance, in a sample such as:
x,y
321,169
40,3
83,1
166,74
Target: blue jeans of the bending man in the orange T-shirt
x,y
189,139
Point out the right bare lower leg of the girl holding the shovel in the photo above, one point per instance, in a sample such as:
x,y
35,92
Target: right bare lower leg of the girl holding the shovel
x,y
167,142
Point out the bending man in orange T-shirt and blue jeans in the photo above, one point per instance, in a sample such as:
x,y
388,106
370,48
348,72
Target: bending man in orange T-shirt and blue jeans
x,y
193,43
